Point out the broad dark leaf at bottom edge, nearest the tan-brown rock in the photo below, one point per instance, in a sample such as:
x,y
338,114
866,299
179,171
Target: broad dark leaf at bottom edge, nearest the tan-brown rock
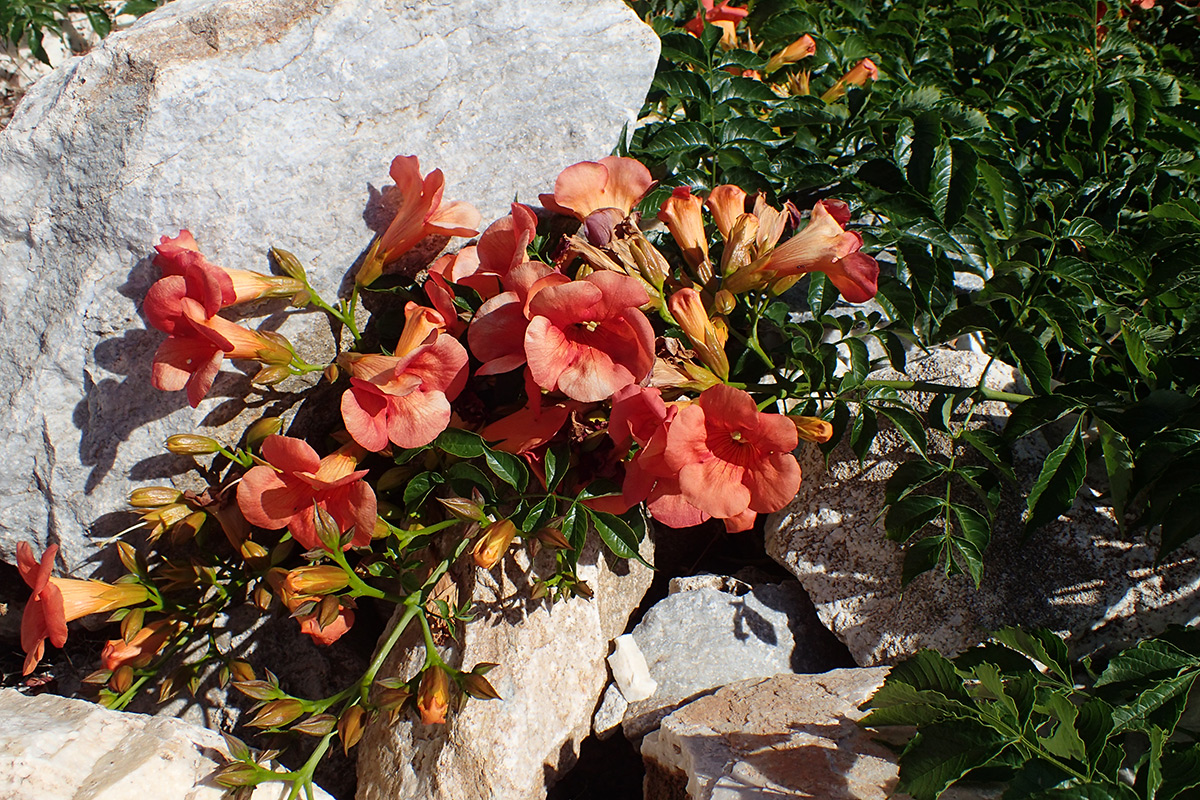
x,y
943,754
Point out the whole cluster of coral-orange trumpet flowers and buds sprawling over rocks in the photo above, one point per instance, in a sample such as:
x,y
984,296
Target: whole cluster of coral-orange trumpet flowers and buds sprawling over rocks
x,y
573,369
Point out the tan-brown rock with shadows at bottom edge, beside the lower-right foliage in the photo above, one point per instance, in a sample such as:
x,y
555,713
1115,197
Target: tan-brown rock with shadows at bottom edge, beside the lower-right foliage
x,y
781,737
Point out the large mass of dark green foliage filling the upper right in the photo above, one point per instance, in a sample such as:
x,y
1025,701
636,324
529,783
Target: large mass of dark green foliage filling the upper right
x,y
1009,140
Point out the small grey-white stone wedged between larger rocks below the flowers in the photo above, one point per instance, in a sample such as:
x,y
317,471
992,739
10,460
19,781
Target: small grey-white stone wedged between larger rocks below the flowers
x,y
699,641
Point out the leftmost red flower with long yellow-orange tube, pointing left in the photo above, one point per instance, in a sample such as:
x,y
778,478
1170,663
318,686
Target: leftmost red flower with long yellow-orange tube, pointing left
x,y
57,601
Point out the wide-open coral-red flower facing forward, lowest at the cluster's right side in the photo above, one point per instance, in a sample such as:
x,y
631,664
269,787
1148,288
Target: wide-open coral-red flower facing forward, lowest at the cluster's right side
x,y
730,458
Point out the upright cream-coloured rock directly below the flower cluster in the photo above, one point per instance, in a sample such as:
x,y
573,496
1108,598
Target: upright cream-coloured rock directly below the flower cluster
x,y
553,671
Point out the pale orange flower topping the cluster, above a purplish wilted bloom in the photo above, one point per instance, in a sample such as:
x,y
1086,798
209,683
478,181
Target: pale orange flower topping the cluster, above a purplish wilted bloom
x,y
613,183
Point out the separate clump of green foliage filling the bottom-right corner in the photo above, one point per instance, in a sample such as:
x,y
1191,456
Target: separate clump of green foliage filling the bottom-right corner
x,y
1049,731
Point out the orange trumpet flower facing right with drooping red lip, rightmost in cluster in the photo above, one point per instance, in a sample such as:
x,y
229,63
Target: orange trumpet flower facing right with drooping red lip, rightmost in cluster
x,y
824,246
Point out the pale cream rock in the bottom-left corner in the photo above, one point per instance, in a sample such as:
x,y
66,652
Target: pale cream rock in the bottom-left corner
x,y
57,749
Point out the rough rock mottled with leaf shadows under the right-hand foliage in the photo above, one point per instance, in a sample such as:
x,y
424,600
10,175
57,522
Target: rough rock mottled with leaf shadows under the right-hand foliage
x,y
1076,575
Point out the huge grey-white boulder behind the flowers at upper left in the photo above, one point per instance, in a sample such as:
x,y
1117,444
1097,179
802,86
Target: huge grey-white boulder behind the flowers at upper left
x,y
253,123
